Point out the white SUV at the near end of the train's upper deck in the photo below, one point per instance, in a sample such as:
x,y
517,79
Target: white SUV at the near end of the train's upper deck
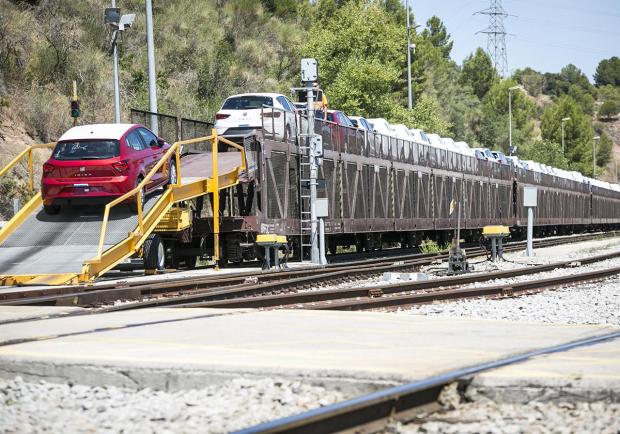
x,y
273,112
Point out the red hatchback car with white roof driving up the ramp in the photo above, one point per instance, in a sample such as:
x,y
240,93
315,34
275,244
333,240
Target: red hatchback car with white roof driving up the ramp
x,y
93,164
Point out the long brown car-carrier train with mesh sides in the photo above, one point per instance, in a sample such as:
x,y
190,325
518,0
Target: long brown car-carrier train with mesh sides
x,y
381,189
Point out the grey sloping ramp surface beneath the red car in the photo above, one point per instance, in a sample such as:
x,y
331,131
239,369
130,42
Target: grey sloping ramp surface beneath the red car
x,y
57,244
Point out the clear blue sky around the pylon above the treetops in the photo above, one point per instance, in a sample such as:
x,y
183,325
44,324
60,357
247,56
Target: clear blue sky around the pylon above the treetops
x,y
548,34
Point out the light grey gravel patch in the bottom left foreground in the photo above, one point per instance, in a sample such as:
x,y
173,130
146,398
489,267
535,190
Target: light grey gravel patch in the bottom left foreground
x,y
46,407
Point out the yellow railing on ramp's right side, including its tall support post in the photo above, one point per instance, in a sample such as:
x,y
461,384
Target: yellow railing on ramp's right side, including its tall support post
x,y
174,149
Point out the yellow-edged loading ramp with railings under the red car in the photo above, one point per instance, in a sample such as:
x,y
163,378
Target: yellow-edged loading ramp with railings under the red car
x,y
93,244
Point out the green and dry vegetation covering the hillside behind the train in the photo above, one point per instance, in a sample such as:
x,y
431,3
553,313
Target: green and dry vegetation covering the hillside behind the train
x,y
207,50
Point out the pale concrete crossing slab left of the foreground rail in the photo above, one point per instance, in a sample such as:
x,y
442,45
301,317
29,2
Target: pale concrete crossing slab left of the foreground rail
x,y
184,348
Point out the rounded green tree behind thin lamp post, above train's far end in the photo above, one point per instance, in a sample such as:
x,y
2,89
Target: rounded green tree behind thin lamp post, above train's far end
x,y
578,132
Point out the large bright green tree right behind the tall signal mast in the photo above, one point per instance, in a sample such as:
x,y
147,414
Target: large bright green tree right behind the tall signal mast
x,y
363,75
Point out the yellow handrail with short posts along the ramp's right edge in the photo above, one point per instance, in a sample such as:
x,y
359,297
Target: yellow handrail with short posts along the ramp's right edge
x,y
174,149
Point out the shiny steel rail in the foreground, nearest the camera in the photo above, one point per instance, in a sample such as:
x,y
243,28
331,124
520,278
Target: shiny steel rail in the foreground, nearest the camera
x,y
399,402
